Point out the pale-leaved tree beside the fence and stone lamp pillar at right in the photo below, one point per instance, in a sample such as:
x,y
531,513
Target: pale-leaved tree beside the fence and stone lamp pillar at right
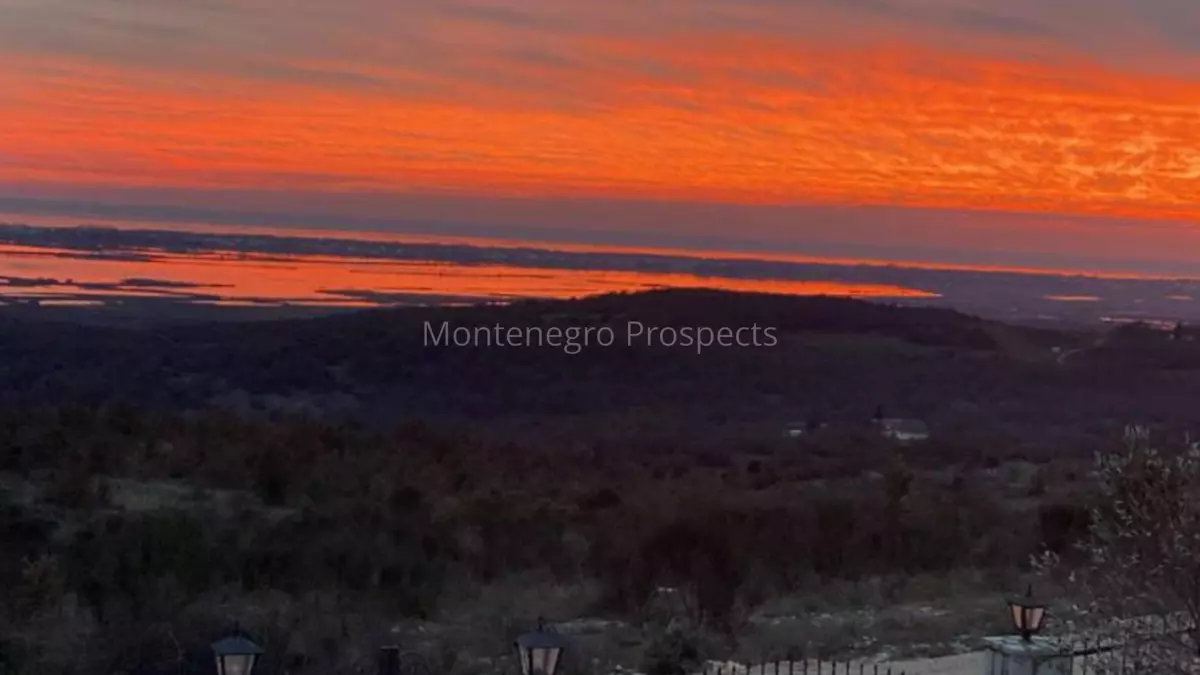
x,y
1141,559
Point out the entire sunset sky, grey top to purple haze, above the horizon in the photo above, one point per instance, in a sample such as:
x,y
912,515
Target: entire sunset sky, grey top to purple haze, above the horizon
x,y
993,132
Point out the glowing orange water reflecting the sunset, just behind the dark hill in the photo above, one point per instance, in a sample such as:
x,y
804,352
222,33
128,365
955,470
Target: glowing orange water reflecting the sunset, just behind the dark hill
x,y
337,280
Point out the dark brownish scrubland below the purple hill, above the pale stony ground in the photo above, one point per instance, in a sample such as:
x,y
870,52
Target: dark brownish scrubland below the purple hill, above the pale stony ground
x,y
391,521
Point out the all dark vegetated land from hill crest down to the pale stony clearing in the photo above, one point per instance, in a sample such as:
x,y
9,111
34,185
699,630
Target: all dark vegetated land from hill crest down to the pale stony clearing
x,y
153,491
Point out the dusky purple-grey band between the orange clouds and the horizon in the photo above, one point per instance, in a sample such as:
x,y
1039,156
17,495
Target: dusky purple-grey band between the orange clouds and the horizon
x,y
856,232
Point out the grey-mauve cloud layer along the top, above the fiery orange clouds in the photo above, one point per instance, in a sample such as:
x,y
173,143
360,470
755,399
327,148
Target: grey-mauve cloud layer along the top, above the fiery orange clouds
x,y
418,34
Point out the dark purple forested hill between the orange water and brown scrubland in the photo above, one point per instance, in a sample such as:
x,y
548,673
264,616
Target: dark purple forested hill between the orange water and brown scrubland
x,y
838,360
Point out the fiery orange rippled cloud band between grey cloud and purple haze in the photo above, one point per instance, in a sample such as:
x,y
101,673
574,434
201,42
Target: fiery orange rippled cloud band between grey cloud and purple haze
x,y
717,120
